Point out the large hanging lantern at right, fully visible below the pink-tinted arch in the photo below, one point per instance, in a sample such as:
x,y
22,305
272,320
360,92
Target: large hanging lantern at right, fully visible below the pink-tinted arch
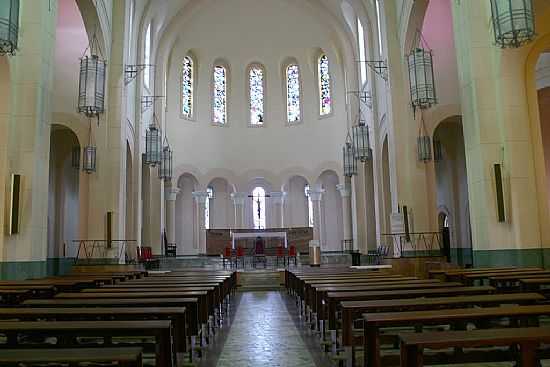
x,y
421,78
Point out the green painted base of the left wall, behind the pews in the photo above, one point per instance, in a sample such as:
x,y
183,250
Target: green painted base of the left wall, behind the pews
x,y
18,270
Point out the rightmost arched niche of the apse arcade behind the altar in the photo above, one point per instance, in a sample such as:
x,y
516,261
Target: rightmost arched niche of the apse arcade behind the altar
x,y
331,226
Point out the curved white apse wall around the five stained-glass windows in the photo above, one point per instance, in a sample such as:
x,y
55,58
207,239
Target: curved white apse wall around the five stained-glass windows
x,y
239,36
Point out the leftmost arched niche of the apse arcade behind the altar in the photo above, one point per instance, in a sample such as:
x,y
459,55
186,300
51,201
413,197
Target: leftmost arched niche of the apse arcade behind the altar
x,y
187,225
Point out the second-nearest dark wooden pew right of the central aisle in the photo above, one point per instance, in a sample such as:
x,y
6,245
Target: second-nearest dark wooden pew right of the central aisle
x,y
374,322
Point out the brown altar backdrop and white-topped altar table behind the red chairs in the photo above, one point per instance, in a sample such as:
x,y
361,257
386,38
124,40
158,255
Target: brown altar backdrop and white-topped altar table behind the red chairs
x,y
218,239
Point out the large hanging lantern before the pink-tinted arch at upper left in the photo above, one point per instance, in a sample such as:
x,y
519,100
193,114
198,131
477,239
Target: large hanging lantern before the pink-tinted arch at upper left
x,y
91,84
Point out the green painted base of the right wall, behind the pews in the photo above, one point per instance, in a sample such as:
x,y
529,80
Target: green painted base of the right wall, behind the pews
x,y
525,257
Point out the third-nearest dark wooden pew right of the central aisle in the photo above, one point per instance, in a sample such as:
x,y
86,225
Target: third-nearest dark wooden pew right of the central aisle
x,y
352,310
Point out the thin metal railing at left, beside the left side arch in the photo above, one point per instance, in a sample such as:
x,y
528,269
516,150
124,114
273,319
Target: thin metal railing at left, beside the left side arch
x,y
103,251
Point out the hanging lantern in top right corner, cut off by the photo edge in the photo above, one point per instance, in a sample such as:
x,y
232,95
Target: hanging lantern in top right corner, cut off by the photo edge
x,y
513,22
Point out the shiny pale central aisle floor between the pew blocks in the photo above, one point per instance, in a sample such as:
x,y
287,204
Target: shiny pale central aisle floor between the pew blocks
x,y
263,334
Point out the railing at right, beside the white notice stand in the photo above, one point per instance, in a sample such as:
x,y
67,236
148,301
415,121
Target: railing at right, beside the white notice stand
x,y
414,244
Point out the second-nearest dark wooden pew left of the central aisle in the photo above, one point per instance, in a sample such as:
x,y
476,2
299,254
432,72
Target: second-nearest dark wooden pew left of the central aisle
x,y
68,330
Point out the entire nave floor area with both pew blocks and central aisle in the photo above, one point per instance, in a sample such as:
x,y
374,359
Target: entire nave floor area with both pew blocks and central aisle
x,y
313,316
